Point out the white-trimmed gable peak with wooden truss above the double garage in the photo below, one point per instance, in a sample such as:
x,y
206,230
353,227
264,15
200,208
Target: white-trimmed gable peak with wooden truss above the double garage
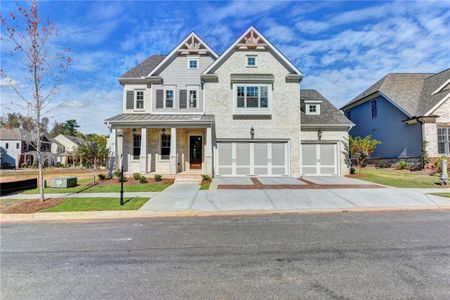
x,y
252,38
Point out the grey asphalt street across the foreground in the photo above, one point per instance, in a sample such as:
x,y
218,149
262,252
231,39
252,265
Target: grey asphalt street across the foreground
x,y
395,255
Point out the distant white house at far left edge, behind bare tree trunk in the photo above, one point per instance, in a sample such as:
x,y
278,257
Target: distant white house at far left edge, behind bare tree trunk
x,y
17,149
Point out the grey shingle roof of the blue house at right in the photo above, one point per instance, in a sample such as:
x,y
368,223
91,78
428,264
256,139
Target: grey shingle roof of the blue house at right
x,y
410,92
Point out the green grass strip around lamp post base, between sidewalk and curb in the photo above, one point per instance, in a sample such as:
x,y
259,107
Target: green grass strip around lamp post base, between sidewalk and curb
x,y
97,204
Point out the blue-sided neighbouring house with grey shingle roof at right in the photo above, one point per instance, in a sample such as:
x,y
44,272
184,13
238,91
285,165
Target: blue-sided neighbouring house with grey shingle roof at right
x,y
402,110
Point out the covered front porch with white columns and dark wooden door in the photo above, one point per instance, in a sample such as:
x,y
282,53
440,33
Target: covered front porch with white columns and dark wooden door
x,y
163,144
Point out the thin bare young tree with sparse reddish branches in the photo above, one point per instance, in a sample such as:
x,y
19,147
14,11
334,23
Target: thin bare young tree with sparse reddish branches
x,y
45,65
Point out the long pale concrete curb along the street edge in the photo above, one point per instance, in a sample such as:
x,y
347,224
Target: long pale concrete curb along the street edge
x,y
104,215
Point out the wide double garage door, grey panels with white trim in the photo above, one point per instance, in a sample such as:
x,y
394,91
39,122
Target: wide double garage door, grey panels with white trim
x,y
251,158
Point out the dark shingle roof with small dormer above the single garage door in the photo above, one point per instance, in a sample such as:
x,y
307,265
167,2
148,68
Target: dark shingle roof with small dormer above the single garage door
x,y
329,114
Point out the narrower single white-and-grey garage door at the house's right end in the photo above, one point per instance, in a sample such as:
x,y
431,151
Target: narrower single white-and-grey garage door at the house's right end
x,y
319,159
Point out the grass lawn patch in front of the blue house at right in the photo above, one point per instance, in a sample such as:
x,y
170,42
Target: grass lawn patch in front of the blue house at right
x,y
397,178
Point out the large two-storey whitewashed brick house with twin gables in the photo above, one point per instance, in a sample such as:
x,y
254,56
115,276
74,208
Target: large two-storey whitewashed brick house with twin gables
x,y
235,114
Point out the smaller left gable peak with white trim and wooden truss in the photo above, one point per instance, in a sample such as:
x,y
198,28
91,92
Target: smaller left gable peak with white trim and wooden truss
x,y
192,44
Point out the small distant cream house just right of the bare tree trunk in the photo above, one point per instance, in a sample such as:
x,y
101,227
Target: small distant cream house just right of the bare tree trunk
x,y
65,148
